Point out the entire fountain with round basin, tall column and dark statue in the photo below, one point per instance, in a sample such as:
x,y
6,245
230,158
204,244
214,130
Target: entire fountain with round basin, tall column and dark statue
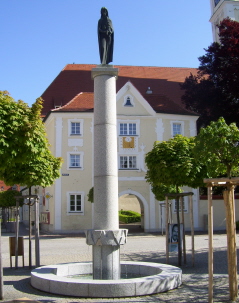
x,y
106,237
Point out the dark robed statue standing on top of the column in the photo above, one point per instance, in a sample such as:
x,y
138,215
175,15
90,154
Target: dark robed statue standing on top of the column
x,y
105,37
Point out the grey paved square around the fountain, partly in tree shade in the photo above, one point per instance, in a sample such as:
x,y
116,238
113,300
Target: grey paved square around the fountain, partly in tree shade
x,y
139,247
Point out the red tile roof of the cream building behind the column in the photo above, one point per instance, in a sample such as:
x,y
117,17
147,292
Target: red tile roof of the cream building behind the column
x,y
74,79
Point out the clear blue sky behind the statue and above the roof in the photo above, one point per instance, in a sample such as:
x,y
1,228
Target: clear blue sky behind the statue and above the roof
x,y
39,37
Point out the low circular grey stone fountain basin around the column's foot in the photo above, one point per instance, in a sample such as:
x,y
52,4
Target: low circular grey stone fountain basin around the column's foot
x,y
153,278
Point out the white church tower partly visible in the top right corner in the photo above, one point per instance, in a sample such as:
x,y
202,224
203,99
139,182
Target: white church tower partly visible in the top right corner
x,y
221,9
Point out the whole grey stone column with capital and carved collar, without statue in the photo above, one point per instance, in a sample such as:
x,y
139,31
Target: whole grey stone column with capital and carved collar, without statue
x,y
105,237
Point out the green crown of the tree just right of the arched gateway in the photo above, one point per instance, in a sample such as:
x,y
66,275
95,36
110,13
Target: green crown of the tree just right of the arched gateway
x,y
171,165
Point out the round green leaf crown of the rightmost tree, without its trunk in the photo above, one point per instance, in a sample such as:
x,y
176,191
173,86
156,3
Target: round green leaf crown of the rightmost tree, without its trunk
x,y
217,146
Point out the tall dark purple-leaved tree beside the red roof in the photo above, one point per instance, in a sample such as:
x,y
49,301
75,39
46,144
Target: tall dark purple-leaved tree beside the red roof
x,y
215,88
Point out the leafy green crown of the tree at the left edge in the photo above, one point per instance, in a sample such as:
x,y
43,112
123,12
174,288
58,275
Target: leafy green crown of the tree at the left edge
x,y
24,146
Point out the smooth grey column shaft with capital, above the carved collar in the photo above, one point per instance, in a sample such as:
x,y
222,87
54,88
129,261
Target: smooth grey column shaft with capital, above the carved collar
x,y
105,149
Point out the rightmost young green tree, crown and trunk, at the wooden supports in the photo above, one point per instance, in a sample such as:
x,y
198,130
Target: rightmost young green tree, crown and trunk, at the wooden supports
x,y
217,146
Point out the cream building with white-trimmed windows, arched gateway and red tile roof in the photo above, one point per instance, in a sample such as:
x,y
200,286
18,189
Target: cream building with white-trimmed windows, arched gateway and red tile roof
x,y
149,109
